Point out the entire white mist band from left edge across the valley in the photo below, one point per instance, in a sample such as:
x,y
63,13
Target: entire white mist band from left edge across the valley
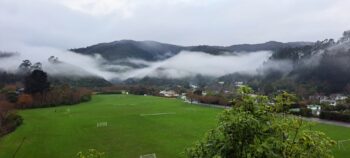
x,y
184,64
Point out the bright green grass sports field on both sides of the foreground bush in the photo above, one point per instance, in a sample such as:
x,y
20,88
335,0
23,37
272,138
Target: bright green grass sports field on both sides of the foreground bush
x,y
61,132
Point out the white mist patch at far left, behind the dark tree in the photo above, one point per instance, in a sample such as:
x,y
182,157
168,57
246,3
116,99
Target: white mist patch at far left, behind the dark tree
x,y
73,64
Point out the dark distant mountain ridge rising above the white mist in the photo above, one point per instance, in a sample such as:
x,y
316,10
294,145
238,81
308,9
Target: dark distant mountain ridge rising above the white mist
x,y
154,51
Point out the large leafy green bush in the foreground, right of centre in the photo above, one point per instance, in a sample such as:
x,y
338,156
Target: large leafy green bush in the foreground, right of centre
x,y
253,128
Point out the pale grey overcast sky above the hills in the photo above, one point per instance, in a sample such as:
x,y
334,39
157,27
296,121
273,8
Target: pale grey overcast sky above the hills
x,y
77,23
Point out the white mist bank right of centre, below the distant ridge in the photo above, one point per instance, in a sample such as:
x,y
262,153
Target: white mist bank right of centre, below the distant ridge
x,y
188,64
